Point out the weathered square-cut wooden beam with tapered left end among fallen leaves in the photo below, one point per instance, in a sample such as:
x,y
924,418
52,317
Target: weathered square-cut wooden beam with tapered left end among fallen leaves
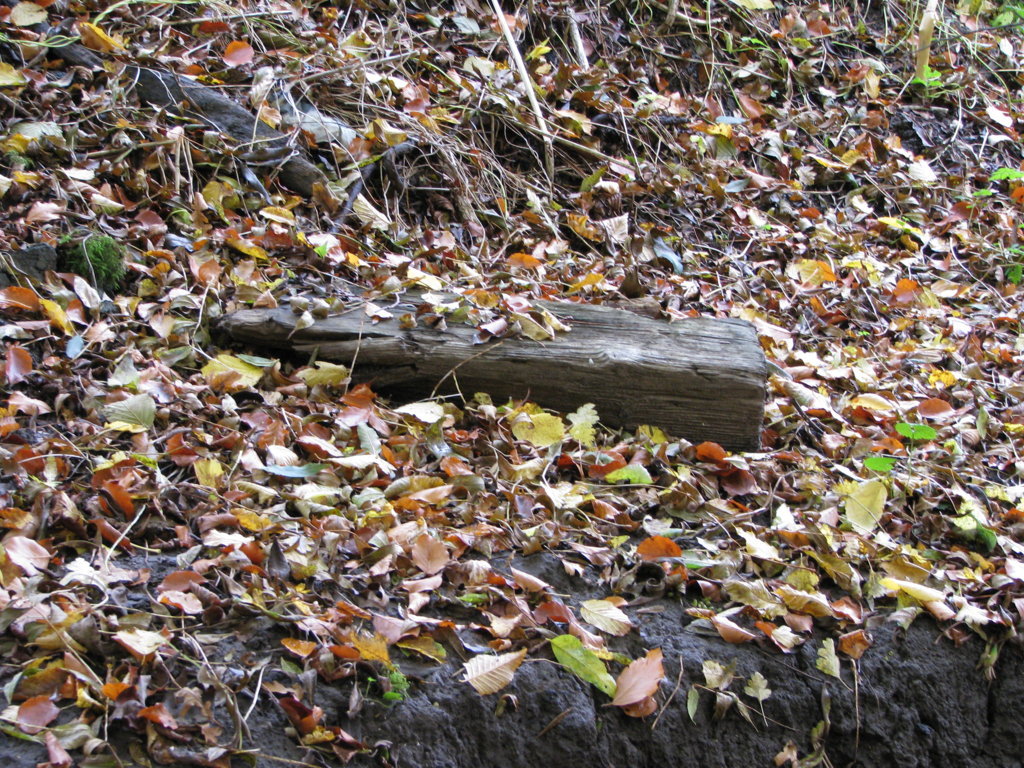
x,y
702,379
